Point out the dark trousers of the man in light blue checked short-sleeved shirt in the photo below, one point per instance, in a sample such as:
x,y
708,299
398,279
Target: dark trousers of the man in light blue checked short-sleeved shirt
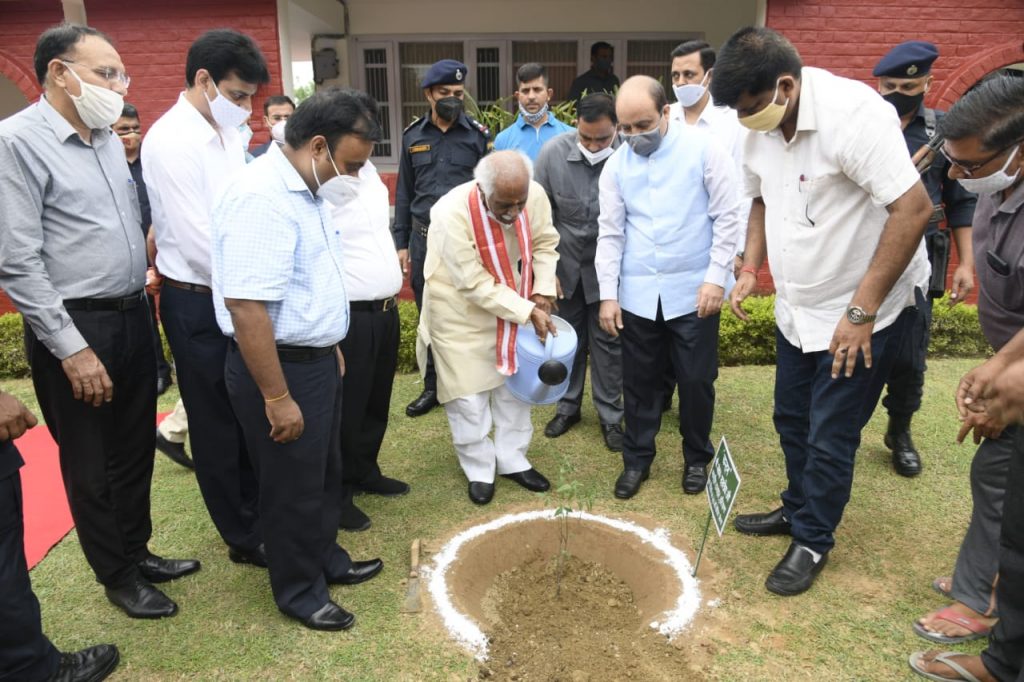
x,y
300,495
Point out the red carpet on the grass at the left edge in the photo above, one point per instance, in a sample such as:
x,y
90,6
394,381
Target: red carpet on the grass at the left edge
x,y
48,519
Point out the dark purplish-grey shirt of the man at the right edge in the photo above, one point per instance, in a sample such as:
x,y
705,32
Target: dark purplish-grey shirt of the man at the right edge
x,y
999,227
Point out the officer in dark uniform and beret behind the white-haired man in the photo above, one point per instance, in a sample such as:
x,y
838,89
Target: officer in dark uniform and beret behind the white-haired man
x,y
439,152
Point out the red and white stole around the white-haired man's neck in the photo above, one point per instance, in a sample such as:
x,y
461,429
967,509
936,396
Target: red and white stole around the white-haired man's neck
x,y
491,245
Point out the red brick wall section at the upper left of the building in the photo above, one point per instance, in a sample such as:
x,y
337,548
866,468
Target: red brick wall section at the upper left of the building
x,y
153,38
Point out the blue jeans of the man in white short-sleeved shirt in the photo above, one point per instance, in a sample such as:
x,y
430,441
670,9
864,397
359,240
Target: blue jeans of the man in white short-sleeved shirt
x,y
819,420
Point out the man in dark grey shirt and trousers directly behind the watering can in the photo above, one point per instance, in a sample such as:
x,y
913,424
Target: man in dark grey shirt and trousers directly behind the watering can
x,y
569,169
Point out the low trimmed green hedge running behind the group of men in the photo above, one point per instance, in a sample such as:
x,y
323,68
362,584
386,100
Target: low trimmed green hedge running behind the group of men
x,y
956,333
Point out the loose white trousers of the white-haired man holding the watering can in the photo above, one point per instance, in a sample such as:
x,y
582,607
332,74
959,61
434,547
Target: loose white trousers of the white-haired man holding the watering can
x,y
472,418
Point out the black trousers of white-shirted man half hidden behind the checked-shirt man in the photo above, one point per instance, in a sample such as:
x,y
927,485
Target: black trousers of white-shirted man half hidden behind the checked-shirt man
x,y
371,351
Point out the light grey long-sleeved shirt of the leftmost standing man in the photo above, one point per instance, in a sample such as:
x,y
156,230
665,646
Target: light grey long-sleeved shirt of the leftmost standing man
x,y
69,223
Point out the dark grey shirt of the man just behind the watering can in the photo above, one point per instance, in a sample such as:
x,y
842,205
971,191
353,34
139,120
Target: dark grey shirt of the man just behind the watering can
x,y
572,186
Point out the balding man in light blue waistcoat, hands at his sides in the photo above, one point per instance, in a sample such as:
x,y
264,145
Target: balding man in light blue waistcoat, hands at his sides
x,y
670,216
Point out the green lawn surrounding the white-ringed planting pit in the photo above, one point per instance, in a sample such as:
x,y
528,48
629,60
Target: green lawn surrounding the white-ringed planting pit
x,y
856,625
